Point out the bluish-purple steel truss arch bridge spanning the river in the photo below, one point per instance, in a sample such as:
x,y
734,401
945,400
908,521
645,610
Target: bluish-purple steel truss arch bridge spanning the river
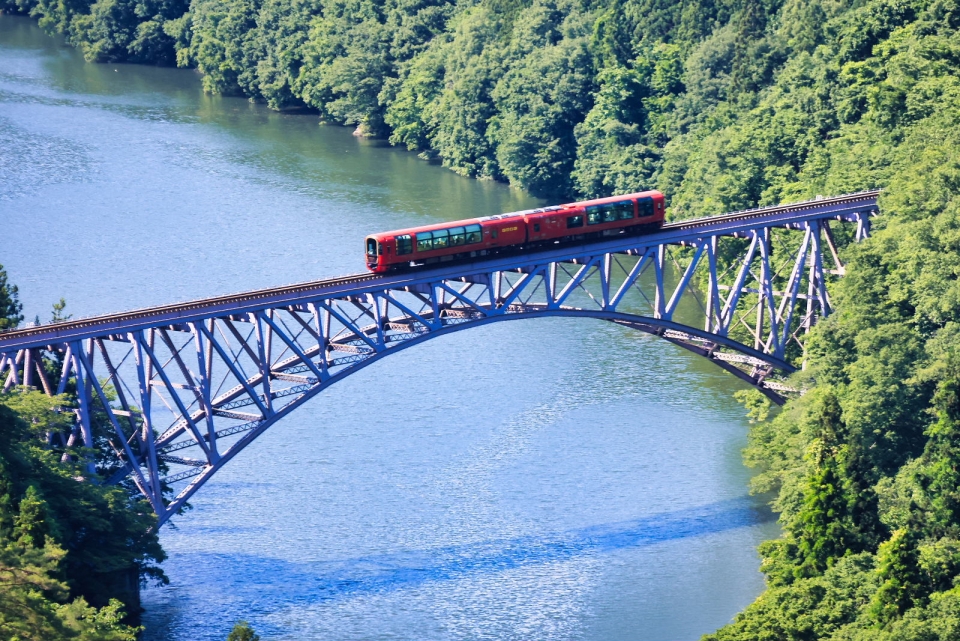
x,y
186,387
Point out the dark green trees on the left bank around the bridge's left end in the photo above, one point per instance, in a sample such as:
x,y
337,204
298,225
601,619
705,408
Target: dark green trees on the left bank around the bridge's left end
x,y
72,551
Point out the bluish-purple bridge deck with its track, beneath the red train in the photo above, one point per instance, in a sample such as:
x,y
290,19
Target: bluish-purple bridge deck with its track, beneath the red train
x,y
844,207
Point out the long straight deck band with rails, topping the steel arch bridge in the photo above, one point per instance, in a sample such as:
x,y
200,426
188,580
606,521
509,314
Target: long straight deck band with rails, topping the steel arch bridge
x,y
230,303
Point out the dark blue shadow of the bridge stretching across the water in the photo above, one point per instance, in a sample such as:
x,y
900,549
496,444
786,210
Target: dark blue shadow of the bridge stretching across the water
x,y
262,584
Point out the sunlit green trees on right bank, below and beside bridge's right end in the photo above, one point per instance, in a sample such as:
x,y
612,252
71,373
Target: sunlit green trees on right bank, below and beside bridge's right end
x,y
865,465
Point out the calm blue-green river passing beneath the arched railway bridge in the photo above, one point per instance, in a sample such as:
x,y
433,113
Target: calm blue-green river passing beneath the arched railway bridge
x,y
550,479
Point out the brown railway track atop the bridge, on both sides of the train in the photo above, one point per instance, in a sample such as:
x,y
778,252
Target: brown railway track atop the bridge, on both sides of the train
x,y
226,302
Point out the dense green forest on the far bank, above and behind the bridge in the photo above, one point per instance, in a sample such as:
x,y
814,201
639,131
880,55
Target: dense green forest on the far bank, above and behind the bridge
x,y
720,103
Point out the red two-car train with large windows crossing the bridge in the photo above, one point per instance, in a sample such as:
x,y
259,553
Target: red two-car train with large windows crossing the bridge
x,y
419,246
